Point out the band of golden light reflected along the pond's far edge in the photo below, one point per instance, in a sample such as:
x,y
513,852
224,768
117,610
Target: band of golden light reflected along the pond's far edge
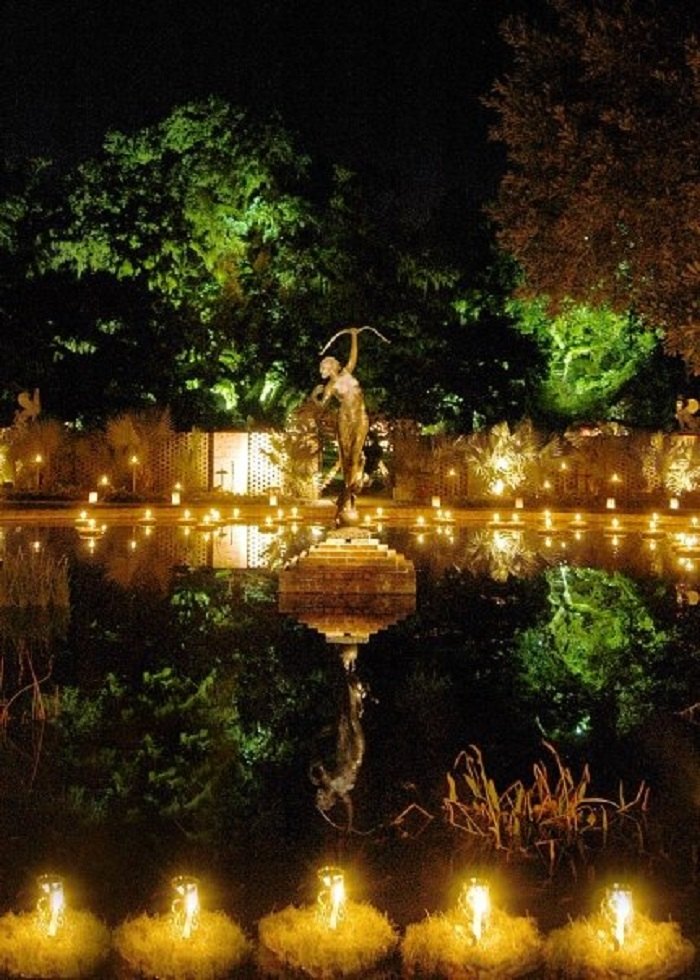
x,y
500,553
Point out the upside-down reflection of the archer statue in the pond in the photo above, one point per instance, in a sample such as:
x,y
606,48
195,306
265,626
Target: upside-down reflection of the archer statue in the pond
x,y
335,785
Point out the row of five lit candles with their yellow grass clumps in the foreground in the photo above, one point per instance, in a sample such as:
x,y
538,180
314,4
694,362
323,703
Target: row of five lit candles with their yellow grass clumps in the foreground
x,y
337,935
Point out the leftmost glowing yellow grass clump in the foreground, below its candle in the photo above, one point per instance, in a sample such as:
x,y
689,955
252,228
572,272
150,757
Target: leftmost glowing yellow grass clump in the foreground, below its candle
x,y
77,950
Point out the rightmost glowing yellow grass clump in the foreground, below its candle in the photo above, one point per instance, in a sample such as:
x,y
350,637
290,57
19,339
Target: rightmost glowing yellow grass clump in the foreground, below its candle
x,y
584,949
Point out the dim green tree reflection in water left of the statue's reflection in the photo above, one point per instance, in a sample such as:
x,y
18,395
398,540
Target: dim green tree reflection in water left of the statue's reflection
x,y
143,739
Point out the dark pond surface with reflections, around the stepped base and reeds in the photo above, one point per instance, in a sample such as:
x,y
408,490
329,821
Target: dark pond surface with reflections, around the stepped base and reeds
x,y
173,719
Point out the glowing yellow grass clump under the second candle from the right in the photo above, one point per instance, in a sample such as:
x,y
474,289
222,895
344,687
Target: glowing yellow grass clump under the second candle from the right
x,y
442,946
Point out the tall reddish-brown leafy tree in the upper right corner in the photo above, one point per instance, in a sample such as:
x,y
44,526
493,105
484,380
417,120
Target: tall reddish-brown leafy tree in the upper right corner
x,y
601,196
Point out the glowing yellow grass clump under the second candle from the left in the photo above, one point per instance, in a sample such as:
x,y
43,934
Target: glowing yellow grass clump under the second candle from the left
x,y
151,947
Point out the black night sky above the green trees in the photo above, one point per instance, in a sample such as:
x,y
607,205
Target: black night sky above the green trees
x,y
390,86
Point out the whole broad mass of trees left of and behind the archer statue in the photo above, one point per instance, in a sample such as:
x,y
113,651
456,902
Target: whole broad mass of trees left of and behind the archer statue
x,y
203,243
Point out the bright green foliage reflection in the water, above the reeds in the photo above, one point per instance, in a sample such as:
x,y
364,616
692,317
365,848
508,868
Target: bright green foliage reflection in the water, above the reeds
x,y
597,659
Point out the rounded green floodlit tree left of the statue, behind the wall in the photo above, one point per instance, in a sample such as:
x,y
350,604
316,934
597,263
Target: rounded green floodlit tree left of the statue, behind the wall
x,y
202,215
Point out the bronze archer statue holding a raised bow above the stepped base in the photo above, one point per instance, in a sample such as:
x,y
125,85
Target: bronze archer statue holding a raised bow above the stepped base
x,y
352,422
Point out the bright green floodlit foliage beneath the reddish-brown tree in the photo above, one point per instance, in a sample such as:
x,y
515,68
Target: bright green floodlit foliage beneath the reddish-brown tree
x,y
591,354
